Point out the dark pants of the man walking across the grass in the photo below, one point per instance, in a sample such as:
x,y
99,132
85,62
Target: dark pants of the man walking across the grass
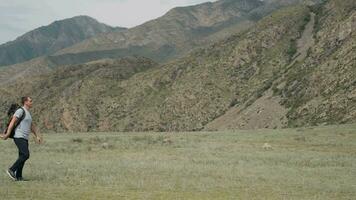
x,y
24,154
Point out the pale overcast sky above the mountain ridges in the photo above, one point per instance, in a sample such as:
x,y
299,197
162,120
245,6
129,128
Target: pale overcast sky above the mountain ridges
x,y
20,16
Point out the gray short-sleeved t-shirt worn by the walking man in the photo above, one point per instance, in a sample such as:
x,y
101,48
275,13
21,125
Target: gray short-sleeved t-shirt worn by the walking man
x,y
23,130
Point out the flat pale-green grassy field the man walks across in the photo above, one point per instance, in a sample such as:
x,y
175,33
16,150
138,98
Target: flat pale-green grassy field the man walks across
x,y
304,163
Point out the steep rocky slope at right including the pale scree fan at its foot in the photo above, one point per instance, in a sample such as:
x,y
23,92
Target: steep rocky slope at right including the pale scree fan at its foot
x,y
318,84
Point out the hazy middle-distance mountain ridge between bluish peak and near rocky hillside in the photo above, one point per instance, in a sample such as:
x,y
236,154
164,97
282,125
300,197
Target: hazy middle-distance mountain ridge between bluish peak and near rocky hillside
x,y
174,34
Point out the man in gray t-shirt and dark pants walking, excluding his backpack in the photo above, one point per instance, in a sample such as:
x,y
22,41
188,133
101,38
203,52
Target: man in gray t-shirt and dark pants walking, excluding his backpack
x,y
21,136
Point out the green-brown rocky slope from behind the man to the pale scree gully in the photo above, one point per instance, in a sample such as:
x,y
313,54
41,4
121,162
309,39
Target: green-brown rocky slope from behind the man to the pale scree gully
x,y
182,95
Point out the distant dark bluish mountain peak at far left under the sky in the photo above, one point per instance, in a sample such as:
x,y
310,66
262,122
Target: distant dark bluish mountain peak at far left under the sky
x,y
47,40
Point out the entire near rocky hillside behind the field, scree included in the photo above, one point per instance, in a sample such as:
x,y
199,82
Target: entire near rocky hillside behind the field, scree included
x,y
294,67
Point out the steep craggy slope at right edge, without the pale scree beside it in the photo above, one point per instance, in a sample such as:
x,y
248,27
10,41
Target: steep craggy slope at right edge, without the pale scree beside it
x,y
322,88
